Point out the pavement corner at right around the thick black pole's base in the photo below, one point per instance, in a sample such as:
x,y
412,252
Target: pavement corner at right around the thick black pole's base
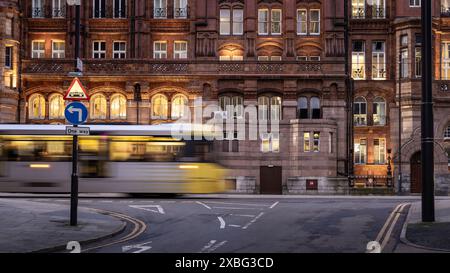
x,y
426,237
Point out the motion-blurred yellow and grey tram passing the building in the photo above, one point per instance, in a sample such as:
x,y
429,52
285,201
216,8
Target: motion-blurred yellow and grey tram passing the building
x,y
112,159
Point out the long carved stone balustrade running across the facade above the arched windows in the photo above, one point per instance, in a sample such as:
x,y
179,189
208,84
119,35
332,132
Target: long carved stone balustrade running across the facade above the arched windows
x,y
190,67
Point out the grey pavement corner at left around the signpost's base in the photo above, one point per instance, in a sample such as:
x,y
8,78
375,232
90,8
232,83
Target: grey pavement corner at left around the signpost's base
x,y
27,226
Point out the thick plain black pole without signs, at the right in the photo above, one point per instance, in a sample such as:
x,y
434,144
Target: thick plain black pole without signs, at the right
x,y
427,120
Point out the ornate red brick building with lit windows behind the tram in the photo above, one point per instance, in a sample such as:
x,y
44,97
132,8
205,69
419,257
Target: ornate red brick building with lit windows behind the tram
x,y
285,57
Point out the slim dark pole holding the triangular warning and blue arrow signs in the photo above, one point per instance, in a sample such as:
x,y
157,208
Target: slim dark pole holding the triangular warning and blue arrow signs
x,y
74,177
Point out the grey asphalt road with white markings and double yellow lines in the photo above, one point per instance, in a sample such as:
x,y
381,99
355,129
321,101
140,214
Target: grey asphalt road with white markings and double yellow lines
x,y
251,225
